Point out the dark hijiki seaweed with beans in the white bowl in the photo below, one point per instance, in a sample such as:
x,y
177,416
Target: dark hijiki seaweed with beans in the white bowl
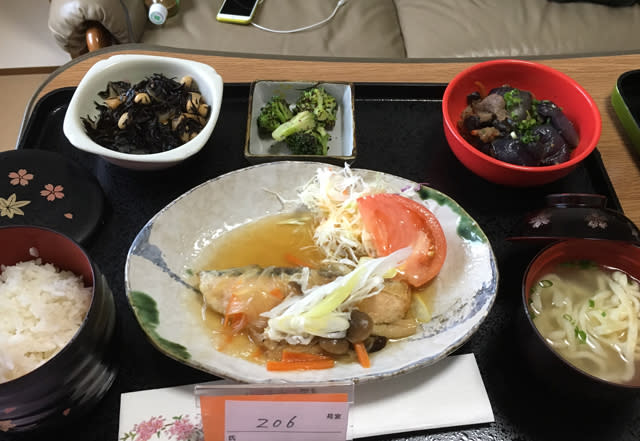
x,y
154,115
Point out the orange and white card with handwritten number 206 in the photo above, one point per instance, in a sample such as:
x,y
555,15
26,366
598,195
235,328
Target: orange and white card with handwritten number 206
x,y
282,412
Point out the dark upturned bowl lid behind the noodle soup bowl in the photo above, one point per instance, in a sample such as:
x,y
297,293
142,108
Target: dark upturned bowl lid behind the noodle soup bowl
x,y
576,215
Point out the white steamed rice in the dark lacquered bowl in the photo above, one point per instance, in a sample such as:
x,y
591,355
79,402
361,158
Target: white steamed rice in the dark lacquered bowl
x,y
41,308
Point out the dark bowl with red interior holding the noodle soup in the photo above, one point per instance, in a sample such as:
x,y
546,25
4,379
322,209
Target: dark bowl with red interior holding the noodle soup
x,y
540,356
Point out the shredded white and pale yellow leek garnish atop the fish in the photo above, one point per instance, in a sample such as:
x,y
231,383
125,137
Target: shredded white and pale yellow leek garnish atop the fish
x,y
324,310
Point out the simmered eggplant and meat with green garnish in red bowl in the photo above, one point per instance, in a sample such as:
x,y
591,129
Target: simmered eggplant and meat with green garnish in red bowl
x,y
511,125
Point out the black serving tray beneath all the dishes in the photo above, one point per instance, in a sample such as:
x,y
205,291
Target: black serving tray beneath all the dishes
x,y
398,131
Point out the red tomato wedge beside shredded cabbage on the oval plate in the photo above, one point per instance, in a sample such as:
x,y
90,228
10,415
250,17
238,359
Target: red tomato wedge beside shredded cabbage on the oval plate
x,y
395,222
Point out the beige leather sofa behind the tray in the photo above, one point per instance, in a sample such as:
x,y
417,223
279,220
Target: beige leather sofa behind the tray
x,y
373,29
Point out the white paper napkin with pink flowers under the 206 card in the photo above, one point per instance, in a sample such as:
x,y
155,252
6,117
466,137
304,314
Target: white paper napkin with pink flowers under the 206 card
x,y
447,394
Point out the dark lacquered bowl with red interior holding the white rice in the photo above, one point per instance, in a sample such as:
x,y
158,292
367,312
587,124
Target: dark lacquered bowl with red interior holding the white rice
x,y
74,380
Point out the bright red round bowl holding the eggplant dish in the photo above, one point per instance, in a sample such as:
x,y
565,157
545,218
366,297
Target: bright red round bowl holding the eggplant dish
x,y
544,83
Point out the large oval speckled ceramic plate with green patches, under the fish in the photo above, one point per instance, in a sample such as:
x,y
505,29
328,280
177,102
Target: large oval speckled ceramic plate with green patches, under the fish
x,y
162,254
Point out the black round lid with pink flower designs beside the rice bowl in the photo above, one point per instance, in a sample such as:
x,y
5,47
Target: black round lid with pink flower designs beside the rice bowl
x,y
46,189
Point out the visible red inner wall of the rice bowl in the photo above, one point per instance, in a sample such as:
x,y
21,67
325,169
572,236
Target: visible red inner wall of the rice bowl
x,y
20,242
